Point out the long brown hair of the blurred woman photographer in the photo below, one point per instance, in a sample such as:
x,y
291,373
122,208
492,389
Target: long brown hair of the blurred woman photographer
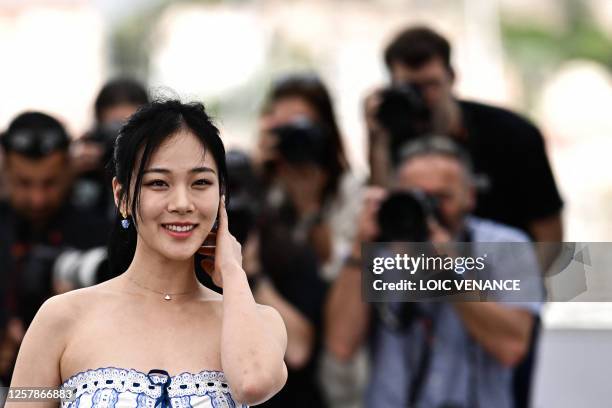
x,y
310,88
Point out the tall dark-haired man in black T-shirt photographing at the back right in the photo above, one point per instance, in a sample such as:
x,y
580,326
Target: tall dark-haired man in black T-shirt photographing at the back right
x,y
515,182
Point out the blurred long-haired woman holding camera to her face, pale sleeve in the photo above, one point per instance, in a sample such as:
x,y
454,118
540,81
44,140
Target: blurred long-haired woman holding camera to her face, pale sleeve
x,y
307,170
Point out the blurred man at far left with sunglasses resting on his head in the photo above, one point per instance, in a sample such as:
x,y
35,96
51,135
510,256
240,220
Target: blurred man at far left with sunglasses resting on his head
x,y
37,223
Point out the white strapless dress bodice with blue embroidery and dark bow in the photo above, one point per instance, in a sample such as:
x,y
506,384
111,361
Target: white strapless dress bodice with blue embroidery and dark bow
x,y
122,388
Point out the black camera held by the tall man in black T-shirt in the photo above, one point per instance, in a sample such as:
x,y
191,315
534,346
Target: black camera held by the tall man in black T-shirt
x,y
404,115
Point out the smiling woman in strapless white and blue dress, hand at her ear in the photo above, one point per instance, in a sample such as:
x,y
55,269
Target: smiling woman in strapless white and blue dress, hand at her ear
x,y
118,342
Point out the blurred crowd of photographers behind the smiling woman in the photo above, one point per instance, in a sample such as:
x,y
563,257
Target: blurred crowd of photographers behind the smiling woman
x,y
442,169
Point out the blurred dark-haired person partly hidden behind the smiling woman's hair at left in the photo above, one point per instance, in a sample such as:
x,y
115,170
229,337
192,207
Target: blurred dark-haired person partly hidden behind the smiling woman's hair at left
x,y
117,100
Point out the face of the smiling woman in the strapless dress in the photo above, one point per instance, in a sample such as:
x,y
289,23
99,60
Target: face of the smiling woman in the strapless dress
x,y
178,198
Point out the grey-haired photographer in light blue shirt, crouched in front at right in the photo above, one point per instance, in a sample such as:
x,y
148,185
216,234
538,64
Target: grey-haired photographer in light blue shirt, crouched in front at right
x,y
439,354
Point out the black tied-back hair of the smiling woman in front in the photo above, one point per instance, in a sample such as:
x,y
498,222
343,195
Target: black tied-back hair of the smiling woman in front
x,y
138,140
